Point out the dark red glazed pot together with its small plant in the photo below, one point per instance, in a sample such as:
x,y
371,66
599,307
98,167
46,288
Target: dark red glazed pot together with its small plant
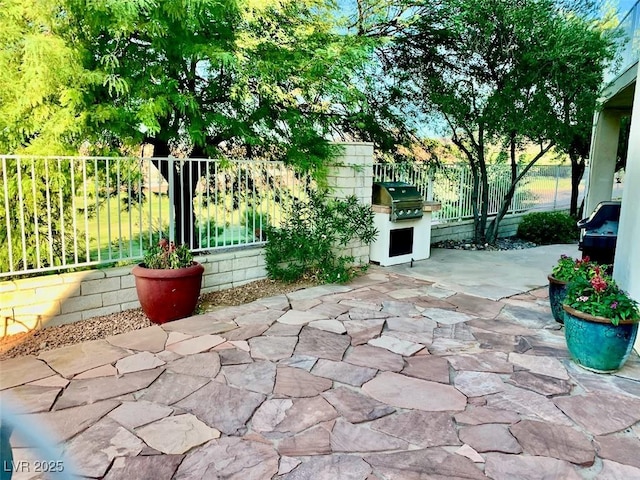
x,y
168,282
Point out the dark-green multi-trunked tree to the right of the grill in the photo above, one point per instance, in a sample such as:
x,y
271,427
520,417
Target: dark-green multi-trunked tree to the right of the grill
x,y
500,72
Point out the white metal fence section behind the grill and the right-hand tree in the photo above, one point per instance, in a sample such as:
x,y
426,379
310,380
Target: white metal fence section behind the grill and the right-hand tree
x,y
544,187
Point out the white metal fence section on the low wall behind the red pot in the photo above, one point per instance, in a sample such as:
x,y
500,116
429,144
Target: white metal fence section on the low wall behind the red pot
x,y
59,213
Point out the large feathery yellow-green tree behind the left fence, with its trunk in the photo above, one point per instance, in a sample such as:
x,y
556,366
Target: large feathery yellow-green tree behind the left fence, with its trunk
x,y
269,79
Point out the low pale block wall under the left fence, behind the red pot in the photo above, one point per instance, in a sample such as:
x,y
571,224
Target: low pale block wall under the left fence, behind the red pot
x,y
50,300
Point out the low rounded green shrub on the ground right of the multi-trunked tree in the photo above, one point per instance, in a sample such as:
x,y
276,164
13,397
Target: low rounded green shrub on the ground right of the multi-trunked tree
x,y
545,228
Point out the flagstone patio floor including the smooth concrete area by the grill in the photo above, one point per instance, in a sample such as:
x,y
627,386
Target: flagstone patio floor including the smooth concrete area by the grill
x,y
452,369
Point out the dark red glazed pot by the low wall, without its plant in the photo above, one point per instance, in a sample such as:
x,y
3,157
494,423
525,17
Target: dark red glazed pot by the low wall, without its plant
x,y
168,294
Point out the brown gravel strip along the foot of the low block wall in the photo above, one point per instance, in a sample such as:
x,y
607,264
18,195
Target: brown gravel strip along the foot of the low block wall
x,y
37,341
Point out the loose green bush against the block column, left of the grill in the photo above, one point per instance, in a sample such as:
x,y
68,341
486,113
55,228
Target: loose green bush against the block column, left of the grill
x,y
309,242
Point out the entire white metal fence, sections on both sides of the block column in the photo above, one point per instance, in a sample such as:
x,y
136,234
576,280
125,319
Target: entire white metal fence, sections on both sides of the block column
x,y
59,213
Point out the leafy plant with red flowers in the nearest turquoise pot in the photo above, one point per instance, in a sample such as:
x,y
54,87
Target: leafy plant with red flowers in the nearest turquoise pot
x,y
598,294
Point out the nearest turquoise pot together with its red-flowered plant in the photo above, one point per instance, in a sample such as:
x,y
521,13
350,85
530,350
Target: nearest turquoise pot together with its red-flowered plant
x,y
601,322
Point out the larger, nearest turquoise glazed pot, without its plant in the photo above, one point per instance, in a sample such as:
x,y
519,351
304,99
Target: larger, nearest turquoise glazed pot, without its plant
x,y
595,344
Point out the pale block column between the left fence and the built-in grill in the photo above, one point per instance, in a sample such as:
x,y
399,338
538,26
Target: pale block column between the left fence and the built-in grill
x,y
352,174
